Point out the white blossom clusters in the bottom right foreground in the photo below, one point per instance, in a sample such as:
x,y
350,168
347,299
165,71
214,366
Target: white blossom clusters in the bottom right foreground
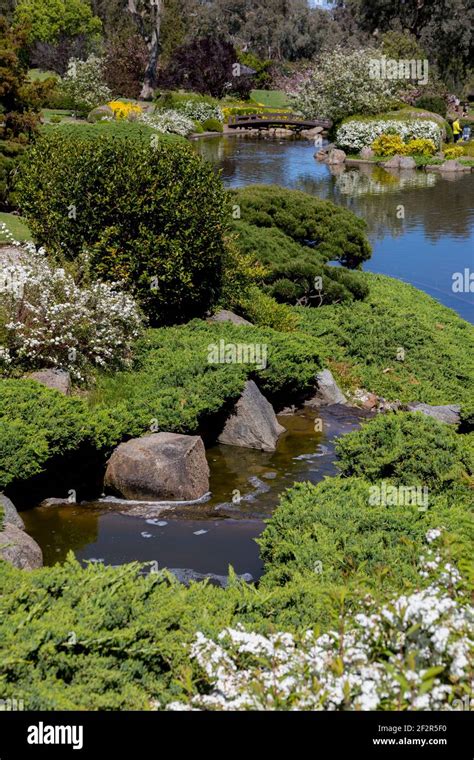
x,y
413,653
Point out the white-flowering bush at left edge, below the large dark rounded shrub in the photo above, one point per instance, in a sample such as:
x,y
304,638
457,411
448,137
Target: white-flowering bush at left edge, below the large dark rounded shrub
x,y
51,322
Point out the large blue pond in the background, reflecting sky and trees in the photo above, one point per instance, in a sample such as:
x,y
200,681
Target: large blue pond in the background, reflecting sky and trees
x,y
435,238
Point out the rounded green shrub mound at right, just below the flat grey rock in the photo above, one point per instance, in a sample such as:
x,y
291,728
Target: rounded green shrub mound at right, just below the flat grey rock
x,y
406,449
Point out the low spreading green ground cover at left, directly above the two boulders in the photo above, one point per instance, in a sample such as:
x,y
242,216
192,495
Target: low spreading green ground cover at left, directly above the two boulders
x,y
173,383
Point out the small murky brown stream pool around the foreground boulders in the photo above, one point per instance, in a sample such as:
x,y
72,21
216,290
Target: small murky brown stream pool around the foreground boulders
x,y
209,536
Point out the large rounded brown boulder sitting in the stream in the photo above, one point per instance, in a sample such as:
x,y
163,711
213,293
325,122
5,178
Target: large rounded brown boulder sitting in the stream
x,y
159,467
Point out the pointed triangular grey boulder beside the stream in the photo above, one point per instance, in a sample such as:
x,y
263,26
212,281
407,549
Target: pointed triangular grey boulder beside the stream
x,y
253,423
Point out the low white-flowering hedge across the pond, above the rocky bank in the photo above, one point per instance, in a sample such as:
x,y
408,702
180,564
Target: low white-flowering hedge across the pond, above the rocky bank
x,y
355,135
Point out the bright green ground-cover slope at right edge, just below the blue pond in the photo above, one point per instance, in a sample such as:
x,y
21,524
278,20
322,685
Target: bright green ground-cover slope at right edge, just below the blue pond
x,y
362,340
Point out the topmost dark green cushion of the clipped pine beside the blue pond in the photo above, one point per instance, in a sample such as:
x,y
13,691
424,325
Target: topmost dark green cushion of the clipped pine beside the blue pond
x,y
332,232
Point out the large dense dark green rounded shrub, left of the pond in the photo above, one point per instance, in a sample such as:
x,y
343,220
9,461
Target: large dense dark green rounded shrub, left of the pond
x,y
151,214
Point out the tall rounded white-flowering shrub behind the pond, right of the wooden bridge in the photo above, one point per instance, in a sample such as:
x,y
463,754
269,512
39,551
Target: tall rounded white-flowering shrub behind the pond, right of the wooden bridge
x,y
340,85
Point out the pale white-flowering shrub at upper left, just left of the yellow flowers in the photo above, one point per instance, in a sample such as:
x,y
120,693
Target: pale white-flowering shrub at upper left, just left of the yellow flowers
x,y
84,83
